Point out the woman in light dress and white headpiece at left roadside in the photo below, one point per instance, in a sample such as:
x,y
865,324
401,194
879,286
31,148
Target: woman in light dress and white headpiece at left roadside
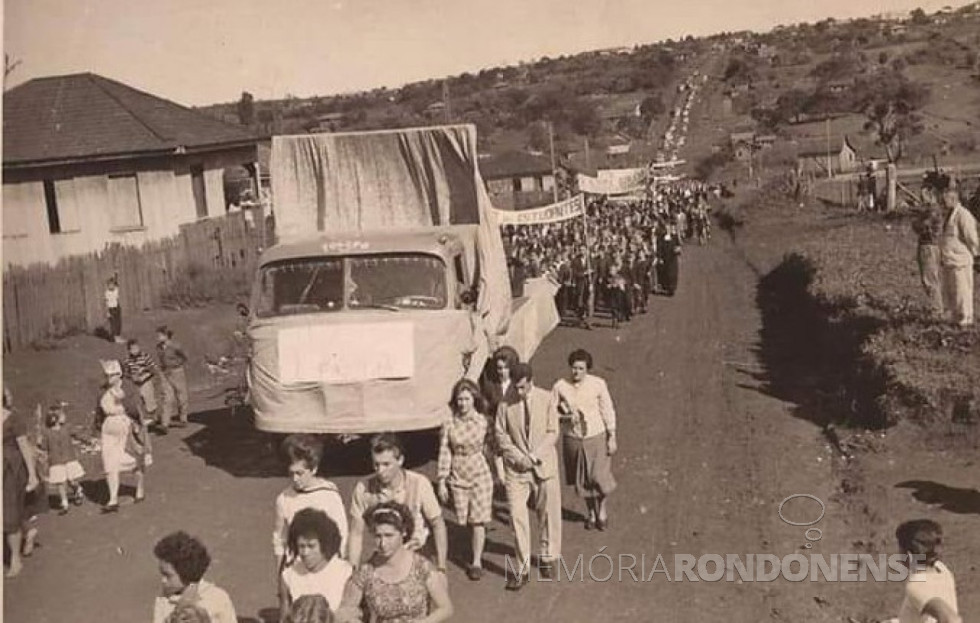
x,y
120,449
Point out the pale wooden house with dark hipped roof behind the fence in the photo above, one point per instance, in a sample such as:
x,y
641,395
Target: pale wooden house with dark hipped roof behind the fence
x,y
88,161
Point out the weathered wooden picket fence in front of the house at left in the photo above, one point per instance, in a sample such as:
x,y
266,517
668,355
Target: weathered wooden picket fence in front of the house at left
x,y
42,302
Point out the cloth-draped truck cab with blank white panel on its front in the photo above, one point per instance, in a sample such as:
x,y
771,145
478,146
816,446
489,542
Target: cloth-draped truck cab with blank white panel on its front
x,y
362,332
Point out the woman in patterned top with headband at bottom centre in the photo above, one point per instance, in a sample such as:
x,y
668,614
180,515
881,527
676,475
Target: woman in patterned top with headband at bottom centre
x,y
397,585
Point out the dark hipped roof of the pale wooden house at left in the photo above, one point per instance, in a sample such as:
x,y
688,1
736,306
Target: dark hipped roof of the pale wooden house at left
x,y
84,116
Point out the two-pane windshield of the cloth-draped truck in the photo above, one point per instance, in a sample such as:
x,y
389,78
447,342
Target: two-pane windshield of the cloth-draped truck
x,y
389,281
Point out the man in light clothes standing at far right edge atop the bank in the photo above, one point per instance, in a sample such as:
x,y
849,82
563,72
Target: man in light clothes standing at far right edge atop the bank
x,y
958,245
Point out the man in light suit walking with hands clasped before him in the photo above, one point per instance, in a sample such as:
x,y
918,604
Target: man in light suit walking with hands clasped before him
x,y
527,432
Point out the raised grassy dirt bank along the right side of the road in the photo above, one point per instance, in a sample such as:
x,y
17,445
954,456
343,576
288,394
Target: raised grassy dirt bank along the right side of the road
x,y
847,339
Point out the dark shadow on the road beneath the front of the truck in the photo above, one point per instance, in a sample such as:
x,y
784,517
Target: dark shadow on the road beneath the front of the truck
x,y
231,443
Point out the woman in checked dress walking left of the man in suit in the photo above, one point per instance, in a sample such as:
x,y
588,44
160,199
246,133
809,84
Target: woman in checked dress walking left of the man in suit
x,y
463,467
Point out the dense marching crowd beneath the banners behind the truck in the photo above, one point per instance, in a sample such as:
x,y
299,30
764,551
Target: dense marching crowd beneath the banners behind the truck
x,y
619,254
